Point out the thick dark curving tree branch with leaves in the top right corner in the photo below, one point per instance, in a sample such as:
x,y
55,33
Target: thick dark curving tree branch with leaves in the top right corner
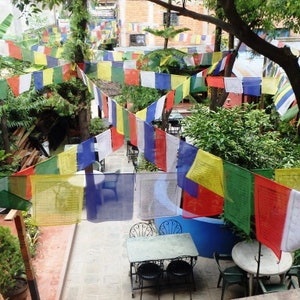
x,y
243,18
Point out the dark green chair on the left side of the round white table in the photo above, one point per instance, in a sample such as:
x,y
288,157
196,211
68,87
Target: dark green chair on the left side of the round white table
x,y
229,275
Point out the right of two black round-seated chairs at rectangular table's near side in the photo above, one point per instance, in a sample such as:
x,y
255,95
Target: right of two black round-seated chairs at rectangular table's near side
x,y
182,268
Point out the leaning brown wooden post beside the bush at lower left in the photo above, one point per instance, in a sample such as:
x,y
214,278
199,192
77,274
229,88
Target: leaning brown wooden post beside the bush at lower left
x,y
20,226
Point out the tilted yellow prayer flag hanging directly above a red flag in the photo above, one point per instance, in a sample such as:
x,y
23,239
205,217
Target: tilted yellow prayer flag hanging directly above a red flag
x,y
207,170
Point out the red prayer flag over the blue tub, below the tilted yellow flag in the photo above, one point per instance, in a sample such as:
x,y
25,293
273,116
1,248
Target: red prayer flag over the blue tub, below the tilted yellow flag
x,y
206,204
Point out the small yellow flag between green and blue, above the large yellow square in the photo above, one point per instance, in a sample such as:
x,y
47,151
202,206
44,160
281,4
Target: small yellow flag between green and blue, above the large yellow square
x,y
67,161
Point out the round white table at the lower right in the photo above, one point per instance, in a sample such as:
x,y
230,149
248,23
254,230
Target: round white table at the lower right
x,y
245,255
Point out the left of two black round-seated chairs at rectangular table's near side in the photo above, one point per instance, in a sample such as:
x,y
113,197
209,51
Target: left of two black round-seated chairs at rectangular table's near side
x,y
149,271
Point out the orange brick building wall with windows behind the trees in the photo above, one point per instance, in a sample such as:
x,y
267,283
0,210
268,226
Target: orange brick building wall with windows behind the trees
x,y
135,15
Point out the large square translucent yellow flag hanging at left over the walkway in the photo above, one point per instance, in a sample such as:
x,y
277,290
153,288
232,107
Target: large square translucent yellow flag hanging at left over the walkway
x,y
55,201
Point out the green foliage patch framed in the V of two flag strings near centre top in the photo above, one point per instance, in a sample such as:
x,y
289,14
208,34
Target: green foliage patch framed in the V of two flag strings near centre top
x,y
138,96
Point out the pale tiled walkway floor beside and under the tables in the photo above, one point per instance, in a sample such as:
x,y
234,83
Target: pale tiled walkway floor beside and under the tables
x,y
99,267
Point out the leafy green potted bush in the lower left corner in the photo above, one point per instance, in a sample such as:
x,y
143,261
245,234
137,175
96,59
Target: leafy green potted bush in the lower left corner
x,y
11,261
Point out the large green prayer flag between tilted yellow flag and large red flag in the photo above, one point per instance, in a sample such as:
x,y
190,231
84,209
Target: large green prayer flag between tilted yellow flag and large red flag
x,y
238,196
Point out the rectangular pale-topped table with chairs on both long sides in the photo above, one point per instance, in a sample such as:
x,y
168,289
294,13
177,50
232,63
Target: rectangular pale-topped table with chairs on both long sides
x,y
159,247
